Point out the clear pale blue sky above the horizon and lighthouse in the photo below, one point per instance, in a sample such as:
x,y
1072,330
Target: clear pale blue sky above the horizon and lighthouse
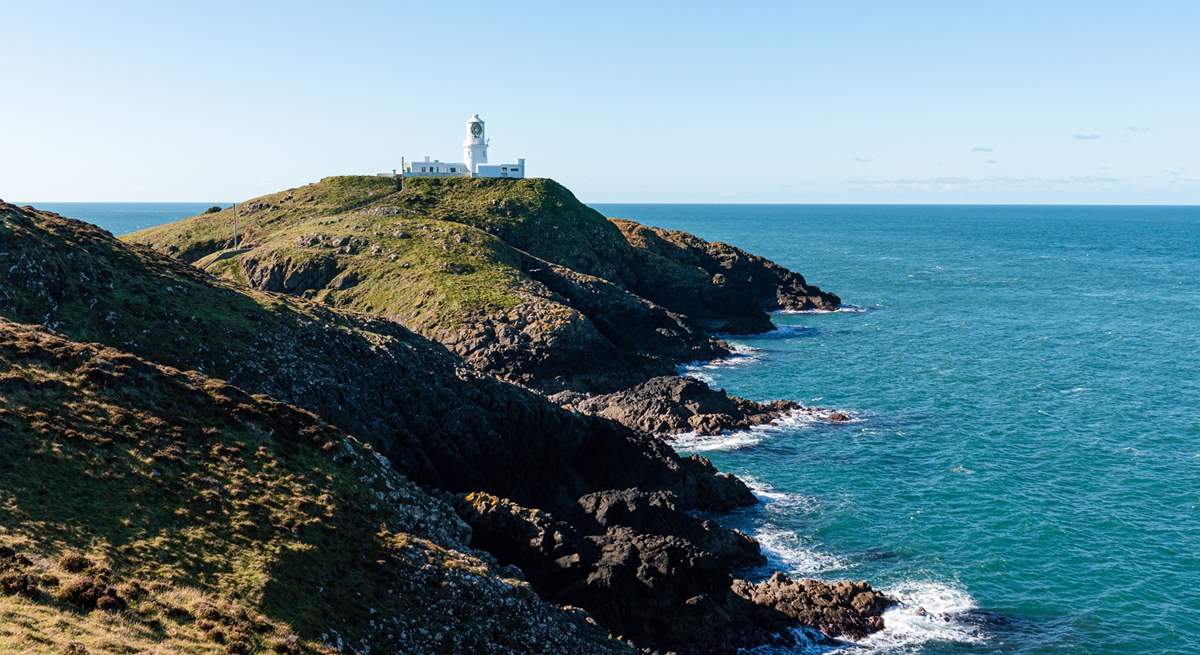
x,y
775,103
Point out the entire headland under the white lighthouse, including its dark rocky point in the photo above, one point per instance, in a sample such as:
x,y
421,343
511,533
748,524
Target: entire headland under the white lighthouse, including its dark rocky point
x,y
517,277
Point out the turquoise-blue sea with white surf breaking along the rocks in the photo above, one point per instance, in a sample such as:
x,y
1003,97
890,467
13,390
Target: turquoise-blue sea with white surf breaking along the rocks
x,y
1023,465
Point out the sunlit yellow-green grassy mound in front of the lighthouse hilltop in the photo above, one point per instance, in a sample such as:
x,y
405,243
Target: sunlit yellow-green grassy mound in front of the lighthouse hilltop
x,y
433,275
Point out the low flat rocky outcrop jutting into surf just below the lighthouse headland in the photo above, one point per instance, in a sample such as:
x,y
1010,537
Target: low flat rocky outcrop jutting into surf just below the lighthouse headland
x,y
673,405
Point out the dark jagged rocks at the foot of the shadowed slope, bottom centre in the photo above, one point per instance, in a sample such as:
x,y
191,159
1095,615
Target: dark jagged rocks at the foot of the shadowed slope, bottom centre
x,y
667,588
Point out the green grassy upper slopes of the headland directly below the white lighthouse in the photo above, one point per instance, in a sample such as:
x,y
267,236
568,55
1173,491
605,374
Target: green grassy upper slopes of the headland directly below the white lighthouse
x,y
424,261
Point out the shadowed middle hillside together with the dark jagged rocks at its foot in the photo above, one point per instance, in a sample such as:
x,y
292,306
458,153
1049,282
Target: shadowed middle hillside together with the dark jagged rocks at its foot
x,y
437,422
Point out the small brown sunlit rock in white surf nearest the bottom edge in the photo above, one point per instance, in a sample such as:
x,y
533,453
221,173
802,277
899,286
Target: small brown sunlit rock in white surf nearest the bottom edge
x,y
843,609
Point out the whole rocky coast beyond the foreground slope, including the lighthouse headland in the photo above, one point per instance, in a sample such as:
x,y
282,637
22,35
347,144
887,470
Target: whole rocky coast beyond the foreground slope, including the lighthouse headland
x,y
533,400
